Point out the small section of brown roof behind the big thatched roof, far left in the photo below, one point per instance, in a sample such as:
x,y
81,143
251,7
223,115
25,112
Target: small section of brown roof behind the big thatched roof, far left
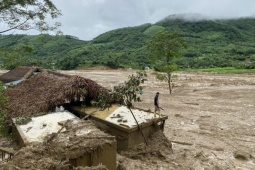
x,y
20,73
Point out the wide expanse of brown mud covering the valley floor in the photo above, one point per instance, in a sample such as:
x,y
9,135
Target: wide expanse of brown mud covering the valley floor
x,y
211,121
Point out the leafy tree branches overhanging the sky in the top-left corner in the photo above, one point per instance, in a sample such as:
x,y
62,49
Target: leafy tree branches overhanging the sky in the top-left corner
x,y
27,14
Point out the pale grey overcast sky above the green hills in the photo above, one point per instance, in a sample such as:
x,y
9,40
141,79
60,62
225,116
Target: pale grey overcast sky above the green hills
x,y
87,19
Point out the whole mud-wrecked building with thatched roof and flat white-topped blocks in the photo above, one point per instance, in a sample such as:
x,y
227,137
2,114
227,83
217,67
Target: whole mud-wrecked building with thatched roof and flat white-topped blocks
x,y
38,93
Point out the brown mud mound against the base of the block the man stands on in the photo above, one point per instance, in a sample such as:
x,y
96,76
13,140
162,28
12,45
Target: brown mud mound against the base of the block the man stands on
x,y
158,148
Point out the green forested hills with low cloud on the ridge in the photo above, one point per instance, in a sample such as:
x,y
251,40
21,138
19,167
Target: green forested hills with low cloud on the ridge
x,y
211,43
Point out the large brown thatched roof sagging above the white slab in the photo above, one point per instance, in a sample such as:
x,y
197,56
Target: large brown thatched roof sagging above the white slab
x,y
46,90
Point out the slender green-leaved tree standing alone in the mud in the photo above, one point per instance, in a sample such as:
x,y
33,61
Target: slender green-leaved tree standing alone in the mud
x,y
164,48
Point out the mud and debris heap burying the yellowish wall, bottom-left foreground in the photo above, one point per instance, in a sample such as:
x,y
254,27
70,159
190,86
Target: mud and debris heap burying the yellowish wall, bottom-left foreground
x,y
66,150
